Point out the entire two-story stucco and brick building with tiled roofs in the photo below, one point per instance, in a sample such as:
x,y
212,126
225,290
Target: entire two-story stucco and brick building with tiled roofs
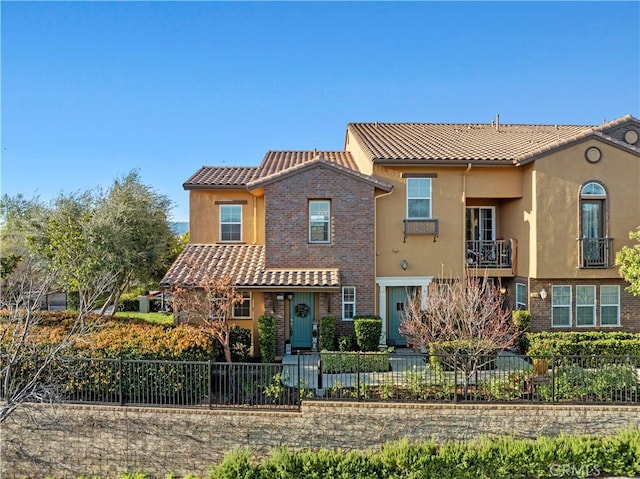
x,y
541,209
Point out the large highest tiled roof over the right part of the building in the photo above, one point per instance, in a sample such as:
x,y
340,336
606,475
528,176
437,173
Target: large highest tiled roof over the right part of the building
x,y
451,143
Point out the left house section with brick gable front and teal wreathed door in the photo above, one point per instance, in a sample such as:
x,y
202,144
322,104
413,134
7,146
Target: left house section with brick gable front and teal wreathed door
x,y
296,235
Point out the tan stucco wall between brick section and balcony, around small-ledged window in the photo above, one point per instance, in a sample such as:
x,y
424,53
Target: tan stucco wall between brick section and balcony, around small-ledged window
x,y
452,189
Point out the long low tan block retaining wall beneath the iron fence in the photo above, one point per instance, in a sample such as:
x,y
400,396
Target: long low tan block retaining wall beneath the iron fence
x,y
71,441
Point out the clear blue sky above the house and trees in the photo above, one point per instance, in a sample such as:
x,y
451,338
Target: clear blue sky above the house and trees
x,y
92,90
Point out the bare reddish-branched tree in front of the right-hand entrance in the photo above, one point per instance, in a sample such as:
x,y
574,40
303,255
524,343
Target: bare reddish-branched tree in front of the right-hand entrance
x,y
464,321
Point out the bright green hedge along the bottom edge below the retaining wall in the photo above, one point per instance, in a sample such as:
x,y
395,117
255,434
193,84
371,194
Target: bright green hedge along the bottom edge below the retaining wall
x,y
494,458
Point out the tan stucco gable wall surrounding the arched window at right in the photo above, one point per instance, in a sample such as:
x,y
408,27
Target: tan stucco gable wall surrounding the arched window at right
x,y
556,182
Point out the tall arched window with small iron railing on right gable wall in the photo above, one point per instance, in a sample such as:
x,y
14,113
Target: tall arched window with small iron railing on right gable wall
x,y
595,244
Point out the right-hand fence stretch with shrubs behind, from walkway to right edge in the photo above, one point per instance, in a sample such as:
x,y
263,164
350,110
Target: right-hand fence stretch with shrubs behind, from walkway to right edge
x,y
501,377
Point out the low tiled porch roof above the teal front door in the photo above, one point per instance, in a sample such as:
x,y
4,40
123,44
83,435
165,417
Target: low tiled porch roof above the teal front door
x,y
245,264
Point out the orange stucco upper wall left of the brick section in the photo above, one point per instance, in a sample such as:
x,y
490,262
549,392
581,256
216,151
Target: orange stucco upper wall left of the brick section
x,y
204,215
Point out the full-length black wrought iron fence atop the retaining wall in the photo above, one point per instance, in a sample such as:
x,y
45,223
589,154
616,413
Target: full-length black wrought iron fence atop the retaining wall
x,y
384,376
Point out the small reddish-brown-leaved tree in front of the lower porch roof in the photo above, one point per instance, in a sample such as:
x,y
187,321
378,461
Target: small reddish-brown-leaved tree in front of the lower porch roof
x,y
209,303
